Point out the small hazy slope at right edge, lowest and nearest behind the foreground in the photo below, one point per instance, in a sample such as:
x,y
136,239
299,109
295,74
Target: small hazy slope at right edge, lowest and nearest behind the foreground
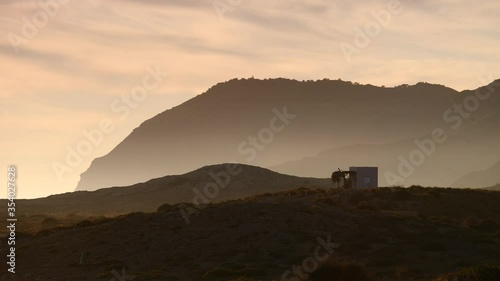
x,y
485,178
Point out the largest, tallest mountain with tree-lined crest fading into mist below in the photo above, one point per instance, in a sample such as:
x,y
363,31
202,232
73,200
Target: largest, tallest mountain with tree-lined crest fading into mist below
x,y
273,121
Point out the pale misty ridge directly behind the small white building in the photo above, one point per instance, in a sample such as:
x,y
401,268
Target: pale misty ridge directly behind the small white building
x,y
439,168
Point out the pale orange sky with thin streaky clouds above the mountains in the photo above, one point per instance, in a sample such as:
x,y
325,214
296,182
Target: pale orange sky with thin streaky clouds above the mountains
x,y
71,68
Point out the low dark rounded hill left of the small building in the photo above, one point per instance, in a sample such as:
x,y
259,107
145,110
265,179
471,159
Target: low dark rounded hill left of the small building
x,y
213,184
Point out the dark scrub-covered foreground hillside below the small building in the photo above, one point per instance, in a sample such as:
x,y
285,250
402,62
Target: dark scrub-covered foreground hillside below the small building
x,y
409,234
